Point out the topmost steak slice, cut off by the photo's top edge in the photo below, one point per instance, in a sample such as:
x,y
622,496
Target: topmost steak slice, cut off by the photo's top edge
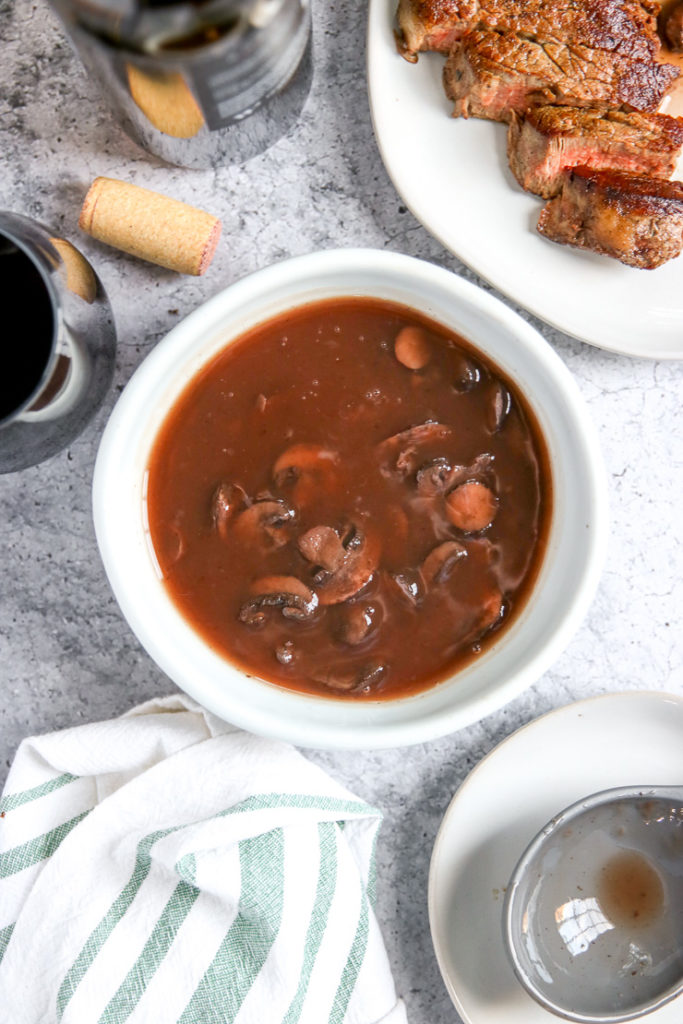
x,y
625,27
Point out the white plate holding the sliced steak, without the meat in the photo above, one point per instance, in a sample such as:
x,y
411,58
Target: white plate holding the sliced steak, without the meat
x,y
454,177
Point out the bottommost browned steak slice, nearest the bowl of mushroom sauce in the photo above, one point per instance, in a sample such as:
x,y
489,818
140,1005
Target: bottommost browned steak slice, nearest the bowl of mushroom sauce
x,y
638,221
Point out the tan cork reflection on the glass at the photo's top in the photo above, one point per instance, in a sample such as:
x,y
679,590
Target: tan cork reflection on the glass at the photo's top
x,y
166,101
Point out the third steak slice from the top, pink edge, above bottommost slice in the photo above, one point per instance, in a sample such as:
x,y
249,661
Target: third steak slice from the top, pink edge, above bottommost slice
x,y
548,141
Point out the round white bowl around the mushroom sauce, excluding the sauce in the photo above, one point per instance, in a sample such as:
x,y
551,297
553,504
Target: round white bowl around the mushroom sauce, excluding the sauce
x,y
574,556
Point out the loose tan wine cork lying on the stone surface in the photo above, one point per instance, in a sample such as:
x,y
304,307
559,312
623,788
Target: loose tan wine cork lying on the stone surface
x,y
151,227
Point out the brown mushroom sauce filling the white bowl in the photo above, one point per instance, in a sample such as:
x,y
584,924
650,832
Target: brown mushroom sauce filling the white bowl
x,y
350,500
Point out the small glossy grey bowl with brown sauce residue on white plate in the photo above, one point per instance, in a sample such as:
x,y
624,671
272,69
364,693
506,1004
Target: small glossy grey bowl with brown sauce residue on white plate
x,y
593,918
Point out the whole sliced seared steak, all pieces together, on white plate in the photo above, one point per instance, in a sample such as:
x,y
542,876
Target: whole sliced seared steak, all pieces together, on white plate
x,y
580,82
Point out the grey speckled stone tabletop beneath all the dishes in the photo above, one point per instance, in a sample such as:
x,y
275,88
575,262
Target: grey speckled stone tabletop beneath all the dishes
x,y
67,656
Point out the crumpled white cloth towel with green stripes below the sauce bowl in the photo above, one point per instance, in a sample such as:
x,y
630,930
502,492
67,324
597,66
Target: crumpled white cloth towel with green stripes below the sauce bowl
x,y
167,868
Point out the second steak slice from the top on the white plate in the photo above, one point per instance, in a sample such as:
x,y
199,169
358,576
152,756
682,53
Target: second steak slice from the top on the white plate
x,y
492,75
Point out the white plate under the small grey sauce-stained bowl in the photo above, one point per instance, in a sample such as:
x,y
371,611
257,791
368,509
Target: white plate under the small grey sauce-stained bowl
x,y
620,740
